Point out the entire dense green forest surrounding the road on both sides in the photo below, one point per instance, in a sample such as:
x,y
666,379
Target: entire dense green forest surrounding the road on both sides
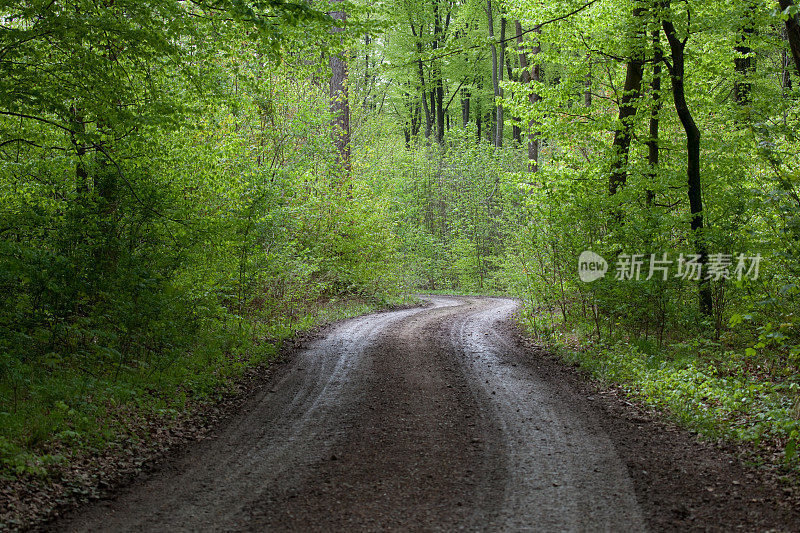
x,y
183,184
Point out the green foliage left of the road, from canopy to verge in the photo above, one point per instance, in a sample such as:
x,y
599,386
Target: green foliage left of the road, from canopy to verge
x,y
170,210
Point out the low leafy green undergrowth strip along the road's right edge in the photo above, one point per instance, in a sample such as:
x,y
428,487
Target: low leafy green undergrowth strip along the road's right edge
x,y
704,387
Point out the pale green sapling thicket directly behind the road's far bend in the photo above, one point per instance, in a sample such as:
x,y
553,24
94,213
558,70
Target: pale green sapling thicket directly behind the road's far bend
x,y
446,204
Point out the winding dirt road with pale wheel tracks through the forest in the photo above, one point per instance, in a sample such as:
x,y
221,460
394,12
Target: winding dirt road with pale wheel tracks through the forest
x,y
438,419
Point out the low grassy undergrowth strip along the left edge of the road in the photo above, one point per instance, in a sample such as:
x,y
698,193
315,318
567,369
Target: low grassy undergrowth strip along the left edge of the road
x,y
63,409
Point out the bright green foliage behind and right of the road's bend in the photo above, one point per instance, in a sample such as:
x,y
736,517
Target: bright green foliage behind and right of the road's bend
x,y
470,217
